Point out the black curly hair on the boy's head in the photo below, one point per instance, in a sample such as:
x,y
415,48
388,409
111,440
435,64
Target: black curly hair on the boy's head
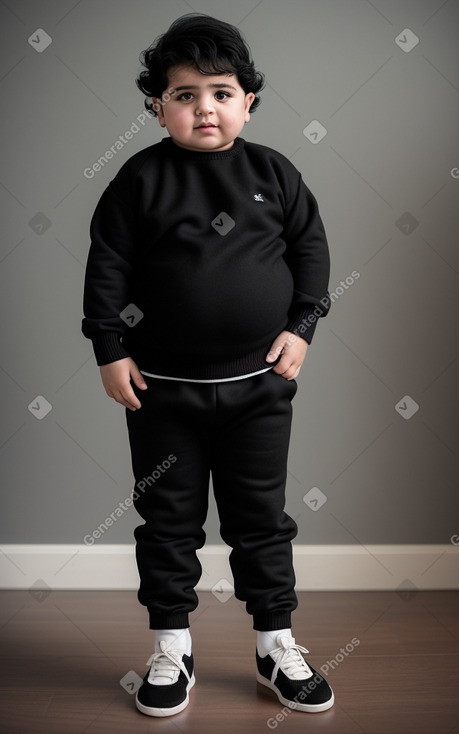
x,y
212,46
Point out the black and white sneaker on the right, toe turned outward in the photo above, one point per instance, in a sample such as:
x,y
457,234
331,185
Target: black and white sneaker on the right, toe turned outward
x,y
296,684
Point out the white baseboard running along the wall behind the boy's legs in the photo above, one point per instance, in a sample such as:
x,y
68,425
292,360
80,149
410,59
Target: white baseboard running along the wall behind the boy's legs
x,y
317,567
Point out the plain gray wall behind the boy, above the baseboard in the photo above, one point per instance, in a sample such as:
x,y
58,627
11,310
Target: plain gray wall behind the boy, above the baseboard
x,y
386,178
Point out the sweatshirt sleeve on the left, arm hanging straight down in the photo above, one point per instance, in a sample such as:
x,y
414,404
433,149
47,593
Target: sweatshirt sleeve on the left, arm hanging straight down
x,y
108,275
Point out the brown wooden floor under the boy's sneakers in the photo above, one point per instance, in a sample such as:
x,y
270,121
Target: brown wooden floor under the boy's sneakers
x,y
63,656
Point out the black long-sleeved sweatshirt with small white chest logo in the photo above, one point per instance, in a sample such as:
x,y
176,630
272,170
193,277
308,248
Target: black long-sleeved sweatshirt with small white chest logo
x,y
199,260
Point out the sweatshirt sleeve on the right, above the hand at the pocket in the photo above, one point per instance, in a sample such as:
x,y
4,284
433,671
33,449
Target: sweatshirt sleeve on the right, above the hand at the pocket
x,y
308,258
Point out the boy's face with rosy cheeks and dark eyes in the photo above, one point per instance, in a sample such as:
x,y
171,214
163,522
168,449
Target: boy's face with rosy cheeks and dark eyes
x,y
203,113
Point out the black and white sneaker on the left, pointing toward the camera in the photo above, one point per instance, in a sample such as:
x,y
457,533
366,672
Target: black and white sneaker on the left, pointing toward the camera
x,y
165,688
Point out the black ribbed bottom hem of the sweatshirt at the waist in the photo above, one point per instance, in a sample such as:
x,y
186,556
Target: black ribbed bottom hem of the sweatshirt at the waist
x,y
196,368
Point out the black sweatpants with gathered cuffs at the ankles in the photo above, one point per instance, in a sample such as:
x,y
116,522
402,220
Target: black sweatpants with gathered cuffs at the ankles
x,y
239,432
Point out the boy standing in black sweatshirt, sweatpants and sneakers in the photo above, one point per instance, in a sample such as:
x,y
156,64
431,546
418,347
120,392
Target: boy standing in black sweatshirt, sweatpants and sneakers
x,y
218,246
